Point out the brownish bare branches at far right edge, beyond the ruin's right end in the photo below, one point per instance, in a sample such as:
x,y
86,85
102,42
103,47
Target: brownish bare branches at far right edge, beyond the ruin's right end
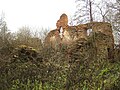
x,y
113,16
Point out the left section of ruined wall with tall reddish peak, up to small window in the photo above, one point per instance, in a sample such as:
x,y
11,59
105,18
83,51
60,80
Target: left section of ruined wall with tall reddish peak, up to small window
x,y
56,38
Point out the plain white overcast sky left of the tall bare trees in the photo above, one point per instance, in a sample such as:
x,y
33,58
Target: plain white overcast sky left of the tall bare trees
x,y
35,13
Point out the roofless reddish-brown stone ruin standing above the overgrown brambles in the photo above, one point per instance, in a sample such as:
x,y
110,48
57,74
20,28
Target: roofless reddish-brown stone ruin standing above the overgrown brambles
x,y
67,35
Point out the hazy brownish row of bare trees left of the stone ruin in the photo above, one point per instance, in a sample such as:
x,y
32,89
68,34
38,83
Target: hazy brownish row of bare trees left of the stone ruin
x,y
23,36
